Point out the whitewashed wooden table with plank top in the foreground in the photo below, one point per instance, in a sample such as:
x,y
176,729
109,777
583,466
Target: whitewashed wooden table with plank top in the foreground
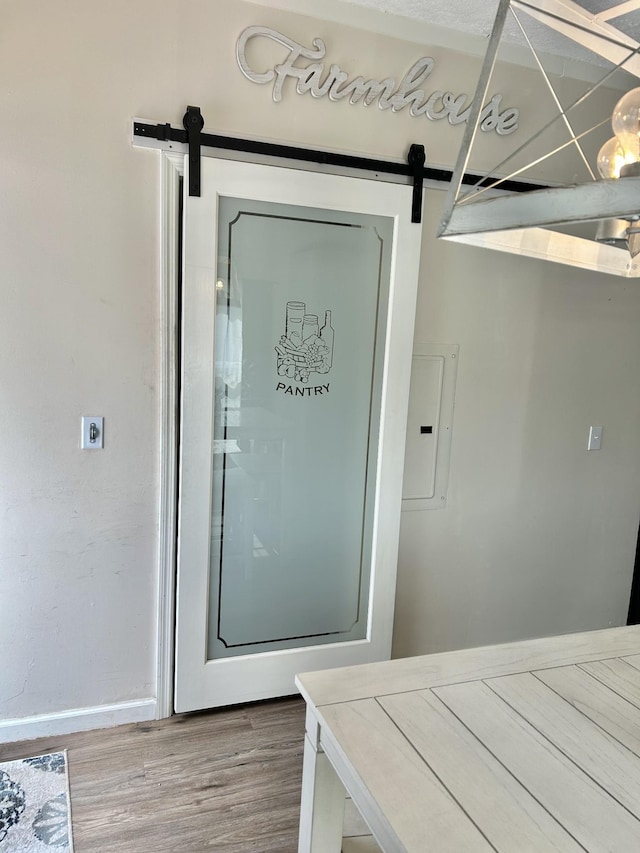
x,y
530,746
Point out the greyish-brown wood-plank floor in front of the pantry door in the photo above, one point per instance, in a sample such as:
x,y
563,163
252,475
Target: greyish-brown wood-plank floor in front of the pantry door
x,y
226,780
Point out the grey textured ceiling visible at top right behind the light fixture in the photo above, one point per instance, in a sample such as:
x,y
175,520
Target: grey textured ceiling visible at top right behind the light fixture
x,y
477,16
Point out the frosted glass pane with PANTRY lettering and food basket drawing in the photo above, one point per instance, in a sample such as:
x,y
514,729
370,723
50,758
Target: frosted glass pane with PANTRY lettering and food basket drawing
x,y
299,346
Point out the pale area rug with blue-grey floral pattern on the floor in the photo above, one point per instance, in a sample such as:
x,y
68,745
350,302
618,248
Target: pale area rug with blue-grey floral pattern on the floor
x,y
35,814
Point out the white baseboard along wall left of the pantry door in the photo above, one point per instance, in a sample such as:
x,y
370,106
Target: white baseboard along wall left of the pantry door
x,y
77,720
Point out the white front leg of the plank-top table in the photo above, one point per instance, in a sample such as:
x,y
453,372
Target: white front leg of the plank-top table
x,y
323,798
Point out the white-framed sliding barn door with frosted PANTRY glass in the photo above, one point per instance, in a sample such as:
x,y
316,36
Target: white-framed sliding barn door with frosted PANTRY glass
x,y
298,310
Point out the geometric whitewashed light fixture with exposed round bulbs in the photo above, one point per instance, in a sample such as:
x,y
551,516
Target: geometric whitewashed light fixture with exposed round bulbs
x,y
594,224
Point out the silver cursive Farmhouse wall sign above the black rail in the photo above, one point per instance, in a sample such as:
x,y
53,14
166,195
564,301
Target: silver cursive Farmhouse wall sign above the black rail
x,y
334,83
